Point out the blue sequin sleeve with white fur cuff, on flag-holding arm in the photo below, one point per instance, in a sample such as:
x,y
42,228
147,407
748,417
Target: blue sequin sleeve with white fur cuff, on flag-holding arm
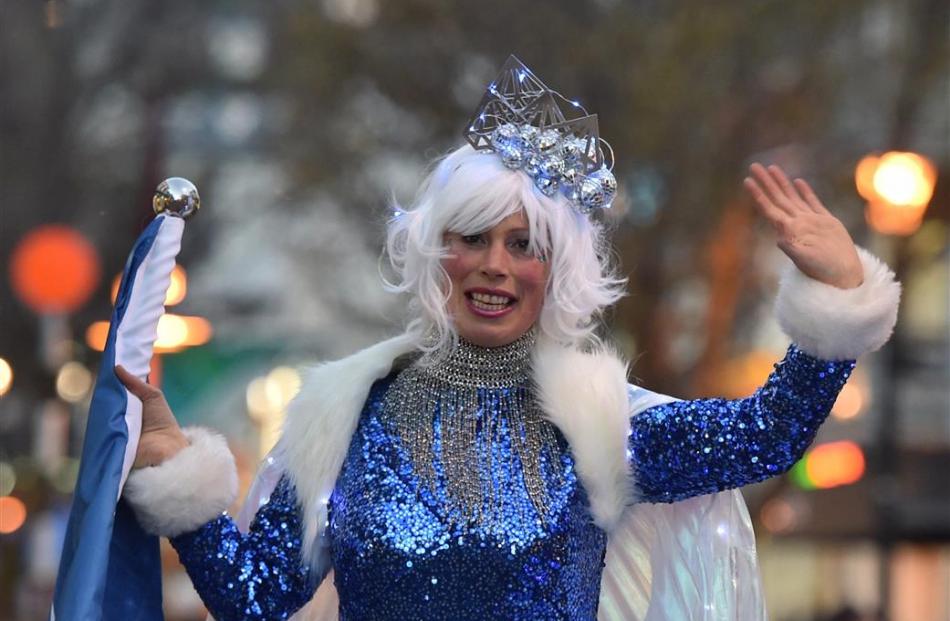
x,y
257,575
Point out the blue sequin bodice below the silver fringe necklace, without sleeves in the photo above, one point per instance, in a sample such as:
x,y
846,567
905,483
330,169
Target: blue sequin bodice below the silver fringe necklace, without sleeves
x,y
388,528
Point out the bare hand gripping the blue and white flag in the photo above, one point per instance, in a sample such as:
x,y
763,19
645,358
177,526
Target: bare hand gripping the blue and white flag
x,y
161,436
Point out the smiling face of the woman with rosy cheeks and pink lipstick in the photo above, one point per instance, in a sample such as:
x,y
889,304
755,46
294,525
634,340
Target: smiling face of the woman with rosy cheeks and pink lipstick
x,y
497,284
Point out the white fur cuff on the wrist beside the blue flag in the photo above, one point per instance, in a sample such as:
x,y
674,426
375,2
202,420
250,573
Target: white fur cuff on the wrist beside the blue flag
x,y
186,491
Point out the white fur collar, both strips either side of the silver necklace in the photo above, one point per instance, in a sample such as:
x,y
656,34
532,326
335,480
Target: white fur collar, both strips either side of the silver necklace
x,y
583,394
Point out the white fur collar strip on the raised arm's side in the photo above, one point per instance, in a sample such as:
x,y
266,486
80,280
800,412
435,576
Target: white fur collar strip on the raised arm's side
x,y
585,395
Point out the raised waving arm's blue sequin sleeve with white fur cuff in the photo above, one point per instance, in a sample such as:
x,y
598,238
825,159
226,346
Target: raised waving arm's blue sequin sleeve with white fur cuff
x,y
687,448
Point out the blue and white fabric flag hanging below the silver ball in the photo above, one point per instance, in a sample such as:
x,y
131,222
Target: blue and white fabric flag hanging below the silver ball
x,y
110,568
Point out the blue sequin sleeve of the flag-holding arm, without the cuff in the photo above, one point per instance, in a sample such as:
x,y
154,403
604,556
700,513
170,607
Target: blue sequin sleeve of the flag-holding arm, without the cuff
x,y
257,575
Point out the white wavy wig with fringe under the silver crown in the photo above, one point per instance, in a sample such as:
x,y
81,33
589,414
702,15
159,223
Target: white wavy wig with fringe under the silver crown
x,y
470,192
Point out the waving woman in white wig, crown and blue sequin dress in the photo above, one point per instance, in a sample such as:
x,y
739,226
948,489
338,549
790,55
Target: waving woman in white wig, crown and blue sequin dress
x,y
475,466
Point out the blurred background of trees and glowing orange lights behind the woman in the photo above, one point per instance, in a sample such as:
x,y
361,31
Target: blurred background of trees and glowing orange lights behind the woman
x,y
300,120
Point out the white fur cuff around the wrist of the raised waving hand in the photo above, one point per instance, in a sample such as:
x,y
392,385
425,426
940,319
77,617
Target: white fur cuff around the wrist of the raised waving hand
x,y
839,324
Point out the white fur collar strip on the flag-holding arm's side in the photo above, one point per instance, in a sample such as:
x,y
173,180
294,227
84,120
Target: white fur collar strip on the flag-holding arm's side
x,y
319,426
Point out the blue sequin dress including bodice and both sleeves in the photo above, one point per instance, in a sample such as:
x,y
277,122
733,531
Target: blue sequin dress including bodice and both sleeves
x,y
397,556
